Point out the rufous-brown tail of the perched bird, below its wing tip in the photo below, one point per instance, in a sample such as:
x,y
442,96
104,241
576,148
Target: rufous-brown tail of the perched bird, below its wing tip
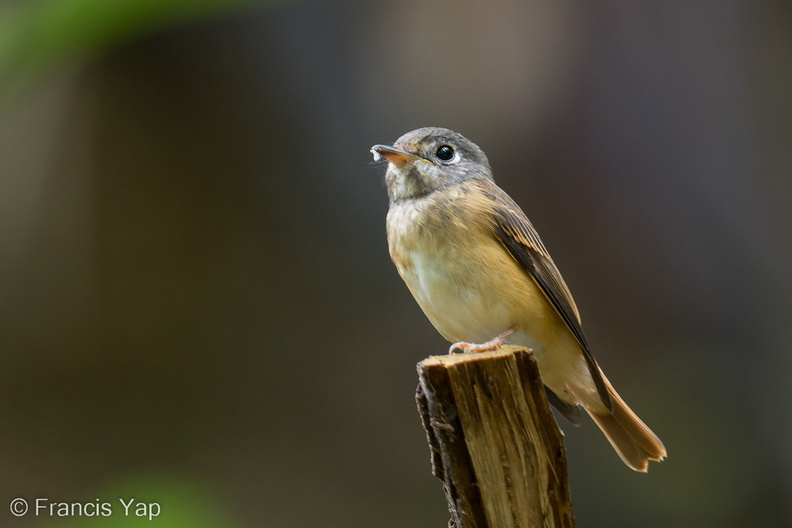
x,y
635,443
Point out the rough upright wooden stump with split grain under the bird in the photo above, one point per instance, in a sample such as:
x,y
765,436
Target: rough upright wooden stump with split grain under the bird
x,y
494,442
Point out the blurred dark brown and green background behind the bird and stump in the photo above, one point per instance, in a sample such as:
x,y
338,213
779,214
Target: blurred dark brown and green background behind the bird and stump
x,y
197,307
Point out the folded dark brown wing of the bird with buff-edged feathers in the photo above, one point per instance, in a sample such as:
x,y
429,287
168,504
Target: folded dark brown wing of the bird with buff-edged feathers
x,y
515,232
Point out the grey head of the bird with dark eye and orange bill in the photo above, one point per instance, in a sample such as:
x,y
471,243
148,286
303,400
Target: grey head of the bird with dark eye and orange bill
x,y
427,159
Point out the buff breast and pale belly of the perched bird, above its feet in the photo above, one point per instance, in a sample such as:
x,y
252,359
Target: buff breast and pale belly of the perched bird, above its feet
x,y
466,283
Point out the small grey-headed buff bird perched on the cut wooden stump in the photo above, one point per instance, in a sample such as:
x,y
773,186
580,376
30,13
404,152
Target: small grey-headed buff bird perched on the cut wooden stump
x,y
481,274
